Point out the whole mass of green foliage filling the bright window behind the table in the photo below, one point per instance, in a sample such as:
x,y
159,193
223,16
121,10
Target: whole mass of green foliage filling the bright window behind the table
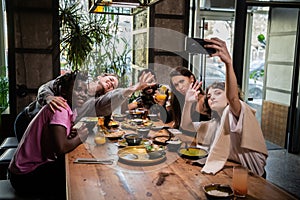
x,y
92,42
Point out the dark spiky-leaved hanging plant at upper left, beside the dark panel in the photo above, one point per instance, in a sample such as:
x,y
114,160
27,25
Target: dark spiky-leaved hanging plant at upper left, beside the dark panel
x,y
79,33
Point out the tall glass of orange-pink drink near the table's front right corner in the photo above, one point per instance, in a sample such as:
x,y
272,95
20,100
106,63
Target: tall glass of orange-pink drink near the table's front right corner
x,y
239,181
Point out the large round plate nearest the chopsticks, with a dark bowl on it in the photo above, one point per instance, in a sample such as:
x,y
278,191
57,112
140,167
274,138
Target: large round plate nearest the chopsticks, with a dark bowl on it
x,y
138,155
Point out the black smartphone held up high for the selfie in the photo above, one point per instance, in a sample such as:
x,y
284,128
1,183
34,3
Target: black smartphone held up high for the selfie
x,y
196,46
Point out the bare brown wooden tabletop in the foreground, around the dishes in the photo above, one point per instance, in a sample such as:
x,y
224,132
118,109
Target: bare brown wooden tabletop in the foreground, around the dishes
x,y
123,181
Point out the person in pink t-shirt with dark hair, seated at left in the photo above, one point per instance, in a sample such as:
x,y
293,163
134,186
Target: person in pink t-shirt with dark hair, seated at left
x,y
37,167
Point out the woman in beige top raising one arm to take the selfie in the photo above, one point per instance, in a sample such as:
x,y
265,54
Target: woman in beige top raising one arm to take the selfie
x,y
233,133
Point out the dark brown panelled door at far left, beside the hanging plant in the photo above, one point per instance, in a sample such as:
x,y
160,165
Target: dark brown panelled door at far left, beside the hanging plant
x,y
33,49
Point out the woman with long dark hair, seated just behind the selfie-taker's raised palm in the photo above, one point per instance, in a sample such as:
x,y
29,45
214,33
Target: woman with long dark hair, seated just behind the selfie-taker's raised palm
x,y
180,80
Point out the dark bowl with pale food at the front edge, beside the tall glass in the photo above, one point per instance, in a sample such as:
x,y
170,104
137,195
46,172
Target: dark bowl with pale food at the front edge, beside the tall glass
x,y
218,191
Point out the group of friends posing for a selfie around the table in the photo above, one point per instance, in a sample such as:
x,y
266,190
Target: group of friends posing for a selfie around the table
x,y
217,118
